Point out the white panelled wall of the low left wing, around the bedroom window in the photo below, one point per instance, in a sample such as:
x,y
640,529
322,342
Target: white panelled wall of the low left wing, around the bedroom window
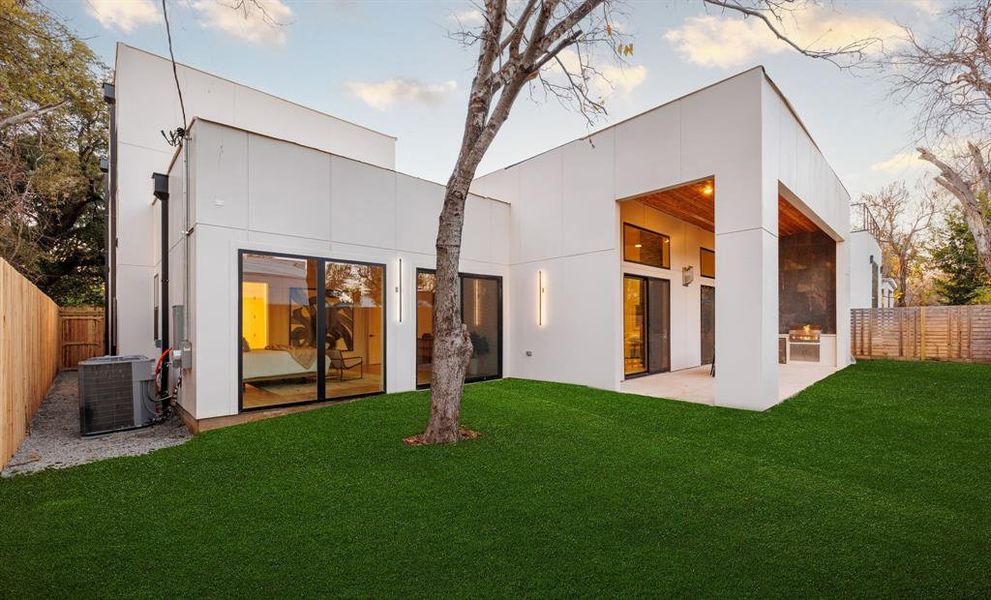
x,y
252,192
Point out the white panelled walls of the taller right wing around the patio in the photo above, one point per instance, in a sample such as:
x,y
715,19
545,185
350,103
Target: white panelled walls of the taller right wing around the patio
x,y
566,224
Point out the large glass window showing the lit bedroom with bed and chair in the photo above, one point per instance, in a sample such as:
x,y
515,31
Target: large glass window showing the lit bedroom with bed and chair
x,y
297,348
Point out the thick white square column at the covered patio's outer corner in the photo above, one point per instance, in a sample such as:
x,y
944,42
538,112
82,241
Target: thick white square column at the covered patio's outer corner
x,y
747,289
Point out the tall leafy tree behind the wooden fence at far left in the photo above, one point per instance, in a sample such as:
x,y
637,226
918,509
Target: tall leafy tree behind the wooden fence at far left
x,y
53,134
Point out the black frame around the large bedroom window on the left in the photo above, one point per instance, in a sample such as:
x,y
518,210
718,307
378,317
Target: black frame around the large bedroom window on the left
x,y
321,328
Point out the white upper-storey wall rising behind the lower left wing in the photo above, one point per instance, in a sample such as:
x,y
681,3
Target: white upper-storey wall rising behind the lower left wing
x,y
146,104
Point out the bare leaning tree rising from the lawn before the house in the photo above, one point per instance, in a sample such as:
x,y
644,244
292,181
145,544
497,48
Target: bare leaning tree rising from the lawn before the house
x,y
535,34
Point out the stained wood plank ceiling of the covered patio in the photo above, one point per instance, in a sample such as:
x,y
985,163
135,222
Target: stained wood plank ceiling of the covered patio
x,y
694,204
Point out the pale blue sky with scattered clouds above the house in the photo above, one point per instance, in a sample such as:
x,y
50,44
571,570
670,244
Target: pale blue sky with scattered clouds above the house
x,y
393,66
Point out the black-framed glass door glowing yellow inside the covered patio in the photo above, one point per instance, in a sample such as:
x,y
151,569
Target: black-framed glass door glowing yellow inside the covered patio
x,y
646,325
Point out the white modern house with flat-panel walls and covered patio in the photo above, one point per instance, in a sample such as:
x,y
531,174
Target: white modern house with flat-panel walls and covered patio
x,y
297,261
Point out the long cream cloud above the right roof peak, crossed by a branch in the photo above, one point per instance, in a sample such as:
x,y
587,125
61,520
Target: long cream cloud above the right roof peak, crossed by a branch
x,y
712,41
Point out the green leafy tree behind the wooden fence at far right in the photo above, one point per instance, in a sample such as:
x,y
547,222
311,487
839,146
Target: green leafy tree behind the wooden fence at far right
x,y
962,279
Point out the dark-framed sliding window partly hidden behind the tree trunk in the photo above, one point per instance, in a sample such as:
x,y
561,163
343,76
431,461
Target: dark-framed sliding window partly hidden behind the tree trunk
x,y
481,311
